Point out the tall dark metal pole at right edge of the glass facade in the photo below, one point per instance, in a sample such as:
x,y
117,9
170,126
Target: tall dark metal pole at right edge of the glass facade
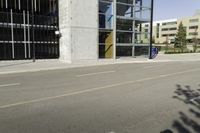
x,y
151,30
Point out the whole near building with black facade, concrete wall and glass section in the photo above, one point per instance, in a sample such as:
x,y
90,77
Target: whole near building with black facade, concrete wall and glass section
x,y
85,29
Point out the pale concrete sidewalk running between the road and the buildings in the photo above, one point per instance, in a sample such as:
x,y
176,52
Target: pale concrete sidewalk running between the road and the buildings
x,y
8,67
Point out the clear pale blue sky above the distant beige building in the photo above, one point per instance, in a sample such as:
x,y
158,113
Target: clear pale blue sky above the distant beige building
x,y
167,9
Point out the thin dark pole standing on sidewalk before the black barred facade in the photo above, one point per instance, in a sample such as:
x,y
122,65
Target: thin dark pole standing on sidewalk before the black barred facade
x,y
33,32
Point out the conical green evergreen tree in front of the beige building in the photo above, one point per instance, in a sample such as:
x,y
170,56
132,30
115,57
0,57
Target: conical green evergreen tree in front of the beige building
x,y
180,40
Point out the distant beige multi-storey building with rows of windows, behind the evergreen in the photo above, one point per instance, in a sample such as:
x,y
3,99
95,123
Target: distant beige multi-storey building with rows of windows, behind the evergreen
x,y
166,30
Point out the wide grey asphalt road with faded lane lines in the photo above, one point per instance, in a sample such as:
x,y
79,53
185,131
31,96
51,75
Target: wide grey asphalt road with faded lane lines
x,y
125,98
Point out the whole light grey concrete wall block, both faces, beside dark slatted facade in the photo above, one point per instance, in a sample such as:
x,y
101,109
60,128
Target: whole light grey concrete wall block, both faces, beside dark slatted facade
x,y
79,29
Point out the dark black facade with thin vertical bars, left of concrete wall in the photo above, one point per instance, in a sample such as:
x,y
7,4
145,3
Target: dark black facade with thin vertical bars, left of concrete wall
x,y
26,25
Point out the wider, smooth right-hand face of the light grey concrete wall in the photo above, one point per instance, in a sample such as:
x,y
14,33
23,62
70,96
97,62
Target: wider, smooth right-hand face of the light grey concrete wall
x,y
84,30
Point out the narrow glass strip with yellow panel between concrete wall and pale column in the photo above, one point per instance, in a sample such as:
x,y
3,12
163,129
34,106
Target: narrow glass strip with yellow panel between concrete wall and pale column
x,y
105,28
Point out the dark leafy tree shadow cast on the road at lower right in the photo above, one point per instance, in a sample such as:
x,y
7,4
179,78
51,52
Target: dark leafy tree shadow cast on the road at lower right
x,y
188,122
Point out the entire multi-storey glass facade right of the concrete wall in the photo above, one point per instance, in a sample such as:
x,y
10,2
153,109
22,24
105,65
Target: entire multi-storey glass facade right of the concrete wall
x,y
124,28
